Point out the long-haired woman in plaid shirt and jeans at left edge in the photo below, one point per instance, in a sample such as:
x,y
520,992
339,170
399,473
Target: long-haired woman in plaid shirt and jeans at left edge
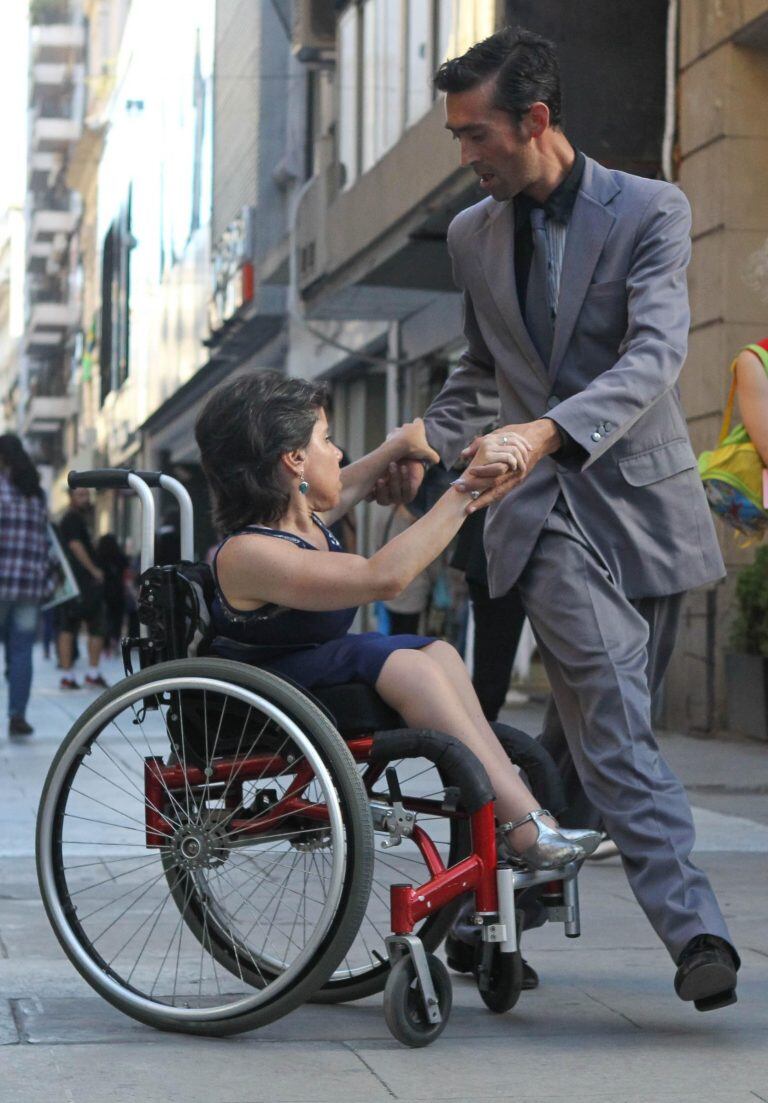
x,y
25,573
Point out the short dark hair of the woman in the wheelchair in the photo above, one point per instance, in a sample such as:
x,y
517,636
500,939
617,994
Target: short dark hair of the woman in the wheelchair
x,y
243,431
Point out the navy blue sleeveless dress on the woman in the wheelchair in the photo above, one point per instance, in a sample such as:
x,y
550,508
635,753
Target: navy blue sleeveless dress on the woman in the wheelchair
x,y
314,649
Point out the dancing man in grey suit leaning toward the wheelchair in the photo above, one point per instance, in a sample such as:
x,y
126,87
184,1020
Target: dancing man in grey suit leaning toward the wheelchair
x,y
577,319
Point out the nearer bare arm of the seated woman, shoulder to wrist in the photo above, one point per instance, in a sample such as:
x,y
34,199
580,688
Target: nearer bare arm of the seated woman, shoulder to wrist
x,y
254,570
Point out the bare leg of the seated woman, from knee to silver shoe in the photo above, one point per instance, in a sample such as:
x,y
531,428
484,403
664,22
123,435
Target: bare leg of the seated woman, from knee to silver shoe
x,y
421,687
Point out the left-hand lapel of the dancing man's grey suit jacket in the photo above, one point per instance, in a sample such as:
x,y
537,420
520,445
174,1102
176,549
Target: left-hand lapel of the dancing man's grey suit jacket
x,y
496,252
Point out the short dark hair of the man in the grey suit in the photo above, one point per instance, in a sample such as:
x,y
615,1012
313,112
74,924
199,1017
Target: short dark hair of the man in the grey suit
x,y
525,66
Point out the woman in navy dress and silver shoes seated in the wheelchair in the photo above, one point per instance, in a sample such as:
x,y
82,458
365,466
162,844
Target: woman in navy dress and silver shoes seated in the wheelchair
x,y
287,594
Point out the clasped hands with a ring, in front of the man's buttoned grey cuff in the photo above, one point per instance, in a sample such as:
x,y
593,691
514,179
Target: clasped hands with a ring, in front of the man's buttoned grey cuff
x,y
493,479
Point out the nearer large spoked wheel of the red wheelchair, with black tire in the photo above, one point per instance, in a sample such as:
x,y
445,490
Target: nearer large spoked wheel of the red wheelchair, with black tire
x,y
202,813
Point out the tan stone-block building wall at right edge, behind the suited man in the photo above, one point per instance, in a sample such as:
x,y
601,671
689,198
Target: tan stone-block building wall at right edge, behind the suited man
x,y
722,165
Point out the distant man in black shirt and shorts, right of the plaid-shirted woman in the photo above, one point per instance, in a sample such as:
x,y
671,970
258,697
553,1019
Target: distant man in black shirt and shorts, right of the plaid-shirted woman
x,y
89,608
